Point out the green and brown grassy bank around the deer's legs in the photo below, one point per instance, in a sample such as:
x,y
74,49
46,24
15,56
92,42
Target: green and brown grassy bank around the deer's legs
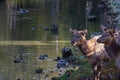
x,y
85,70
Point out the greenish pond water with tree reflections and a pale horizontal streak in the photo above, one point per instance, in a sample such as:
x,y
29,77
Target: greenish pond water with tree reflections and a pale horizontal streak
x,y
27,31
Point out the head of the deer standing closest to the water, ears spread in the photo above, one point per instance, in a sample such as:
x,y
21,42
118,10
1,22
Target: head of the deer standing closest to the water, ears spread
x,y
79,37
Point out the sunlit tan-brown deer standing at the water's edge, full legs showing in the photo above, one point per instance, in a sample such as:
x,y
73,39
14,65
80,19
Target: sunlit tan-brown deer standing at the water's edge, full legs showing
x,y
94,52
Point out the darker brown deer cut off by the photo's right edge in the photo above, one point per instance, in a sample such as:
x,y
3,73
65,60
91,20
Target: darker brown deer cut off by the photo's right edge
x,y
110,40
